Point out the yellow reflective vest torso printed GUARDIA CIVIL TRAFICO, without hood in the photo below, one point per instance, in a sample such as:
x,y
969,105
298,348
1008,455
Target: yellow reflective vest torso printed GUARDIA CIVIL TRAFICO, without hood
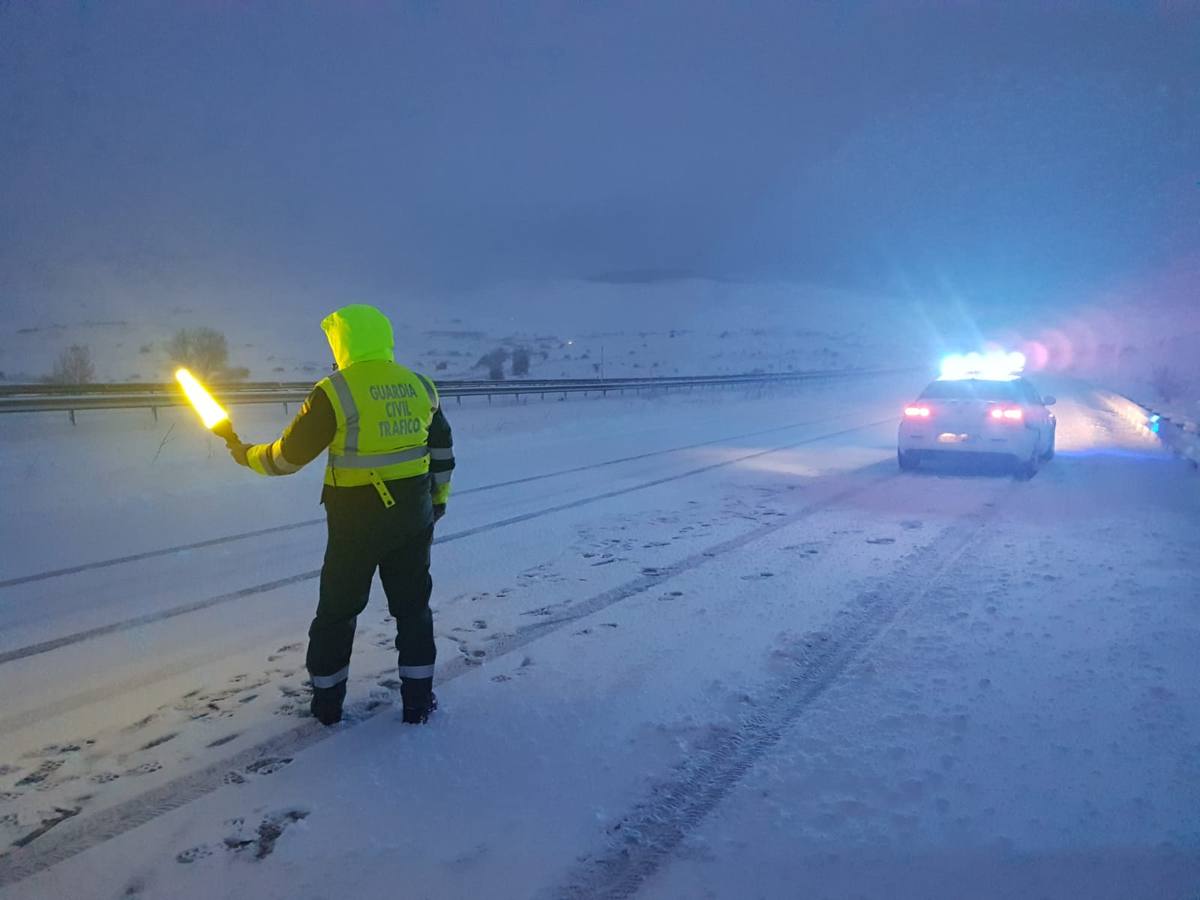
x,y
383,413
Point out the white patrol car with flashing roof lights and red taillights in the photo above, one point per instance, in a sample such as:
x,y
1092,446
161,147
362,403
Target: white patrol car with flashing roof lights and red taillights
x,y
981,406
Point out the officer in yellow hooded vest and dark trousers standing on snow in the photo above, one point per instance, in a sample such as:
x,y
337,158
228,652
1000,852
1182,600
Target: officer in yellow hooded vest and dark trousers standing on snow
x,y
387,483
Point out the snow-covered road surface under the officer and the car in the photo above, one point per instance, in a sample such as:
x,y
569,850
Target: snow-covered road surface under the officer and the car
x,y
699,645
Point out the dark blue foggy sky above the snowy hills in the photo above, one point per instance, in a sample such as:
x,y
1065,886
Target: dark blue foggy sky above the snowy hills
x,y
1028,153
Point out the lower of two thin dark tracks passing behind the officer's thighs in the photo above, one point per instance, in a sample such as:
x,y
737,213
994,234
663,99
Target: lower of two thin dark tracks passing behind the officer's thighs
x,y
56,644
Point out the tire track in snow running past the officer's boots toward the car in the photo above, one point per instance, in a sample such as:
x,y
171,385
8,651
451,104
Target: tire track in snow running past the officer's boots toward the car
x,y
88,831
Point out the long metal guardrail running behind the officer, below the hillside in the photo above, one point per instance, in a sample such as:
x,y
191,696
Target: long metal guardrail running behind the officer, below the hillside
x,y
73,399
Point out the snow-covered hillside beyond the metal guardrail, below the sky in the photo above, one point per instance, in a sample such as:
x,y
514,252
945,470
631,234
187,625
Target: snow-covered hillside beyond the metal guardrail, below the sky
x,y
572,329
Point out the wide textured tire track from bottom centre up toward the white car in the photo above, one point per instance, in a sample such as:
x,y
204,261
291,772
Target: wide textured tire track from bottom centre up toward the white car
x,y
651,833
